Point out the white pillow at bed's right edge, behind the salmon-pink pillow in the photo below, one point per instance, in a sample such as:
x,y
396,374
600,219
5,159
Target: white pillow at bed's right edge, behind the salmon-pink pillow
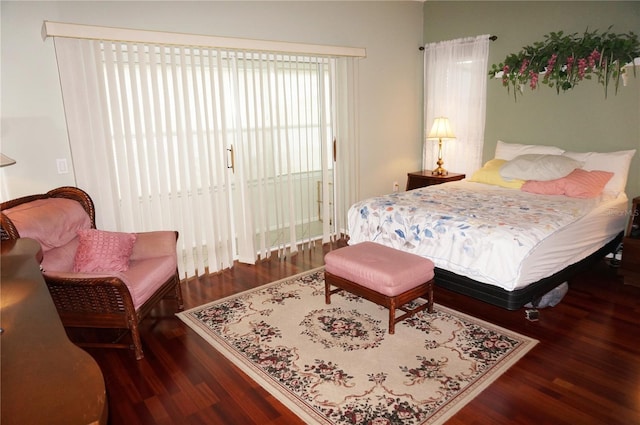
x,y
616,162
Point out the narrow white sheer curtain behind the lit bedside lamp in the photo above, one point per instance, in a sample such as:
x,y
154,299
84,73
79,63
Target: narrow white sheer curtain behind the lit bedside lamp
x,y
455,81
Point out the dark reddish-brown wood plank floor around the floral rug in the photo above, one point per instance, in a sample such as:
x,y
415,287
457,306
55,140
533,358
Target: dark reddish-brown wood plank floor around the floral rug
x,y
585,370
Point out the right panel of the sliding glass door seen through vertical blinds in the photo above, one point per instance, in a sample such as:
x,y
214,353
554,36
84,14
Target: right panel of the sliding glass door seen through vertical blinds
x,y
282,163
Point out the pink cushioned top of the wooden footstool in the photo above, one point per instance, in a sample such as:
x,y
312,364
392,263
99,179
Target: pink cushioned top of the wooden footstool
x,y
385,270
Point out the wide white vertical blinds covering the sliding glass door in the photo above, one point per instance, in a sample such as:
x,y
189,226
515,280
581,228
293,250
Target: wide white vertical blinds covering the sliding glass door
x,y
155,128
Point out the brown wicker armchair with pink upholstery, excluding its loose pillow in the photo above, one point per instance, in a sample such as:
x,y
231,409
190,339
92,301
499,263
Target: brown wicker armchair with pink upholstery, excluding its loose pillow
x,y
119,300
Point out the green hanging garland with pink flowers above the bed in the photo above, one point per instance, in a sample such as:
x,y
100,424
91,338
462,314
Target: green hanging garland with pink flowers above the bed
x,y
562,61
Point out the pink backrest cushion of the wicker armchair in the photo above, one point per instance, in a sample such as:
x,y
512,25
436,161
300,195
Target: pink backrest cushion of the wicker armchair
x,y
53,222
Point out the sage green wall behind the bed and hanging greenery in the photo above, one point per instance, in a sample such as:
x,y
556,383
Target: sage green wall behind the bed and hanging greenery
x,y
578,120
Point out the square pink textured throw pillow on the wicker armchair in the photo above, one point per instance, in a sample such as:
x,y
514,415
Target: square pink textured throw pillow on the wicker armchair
x,y
101,251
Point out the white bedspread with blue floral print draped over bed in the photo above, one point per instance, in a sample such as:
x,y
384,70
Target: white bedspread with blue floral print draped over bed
x,y
479,231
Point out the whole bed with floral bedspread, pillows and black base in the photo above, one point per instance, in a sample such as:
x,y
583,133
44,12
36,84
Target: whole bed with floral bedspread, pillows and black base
x,y
507,240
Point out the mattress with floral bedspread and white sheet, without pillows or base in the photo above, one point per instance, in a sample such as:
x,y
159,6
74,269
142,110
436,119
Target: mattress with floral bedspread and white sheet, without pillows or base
x,y
497,236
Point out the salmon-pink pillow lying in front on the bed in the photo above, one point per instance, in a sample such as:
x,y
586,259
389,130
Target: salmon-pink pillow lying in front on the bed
x,y
578,184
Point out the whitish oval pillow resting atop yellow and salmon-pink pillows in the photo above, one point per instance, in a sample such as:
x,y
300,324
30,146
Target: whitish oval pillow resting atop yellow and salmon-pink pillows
x,y
539,167
